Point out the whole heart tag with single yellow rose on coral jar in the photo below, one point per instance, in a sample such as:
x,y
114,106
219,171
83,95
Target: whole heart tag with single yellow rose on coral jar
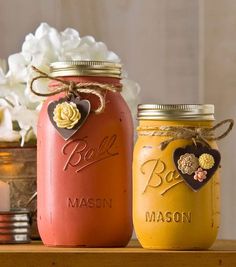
x,y
68,115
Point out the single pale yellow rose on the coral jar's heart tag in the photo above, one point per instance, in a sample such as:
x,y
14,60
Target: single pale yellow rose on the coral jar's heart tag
x,y
66,115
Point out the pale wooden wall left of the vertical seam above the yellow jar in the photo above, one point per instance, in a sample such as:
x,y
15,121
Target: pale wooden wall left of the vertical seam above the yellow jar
x,y
157,41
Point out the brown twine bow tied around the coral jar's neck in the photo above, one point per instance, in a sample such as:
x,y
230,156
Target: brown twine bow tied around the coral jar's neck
x,y
72,88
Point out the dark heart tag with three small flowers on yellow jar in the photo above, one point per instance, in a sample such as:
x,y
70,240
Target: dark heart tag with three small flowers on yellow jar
x,y
196,164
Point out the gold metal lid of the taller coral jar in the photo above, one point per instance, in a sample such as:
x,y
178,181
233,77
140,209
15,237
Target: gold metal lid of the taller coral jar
x,y
85,68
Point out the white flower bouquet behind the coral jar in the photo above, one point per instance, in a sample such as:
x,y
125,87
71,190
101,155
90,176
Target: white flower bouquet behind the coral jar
x,y
19,108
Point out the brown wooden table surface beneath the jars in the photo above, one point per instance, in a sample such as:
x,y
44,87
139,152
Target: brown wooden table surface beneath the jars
x,y
223,253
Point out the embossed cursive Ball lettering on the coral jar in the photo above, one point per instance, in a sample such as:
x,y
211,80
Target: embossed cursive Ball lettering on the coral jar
x,y
81,155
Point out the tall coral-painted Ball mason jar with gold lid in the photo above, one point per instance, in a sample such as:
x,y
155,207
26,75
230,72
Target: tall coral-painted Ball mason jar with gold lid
x,y
84,169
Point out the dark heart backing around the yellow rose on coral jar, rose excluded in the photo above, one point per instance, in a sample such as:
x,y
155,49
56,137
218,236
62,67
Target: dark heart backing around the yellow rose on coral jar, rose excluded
x,y
83,107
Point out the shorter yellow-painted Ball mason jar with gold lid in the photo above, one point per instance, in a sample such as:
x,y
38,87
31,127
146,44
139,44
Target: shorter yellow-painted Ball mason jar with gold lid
x,y
167,212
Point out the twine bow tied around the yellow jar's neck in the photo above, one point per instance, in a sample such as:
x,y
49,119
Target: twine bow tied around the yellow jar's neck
x,y
197,134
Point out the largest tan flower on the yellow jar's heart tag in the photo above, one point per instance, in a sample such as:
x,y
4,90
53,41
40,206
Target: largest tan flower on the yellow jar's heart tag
x,y
188,163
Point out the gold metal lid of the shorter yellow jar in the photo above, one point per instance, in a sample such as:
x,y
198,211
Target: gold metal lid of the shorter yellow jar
x,y
176,112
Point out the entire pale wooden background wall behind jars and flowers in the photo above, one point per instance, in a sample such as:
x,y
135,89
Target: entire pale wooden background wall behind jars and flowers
x,y
180,51
